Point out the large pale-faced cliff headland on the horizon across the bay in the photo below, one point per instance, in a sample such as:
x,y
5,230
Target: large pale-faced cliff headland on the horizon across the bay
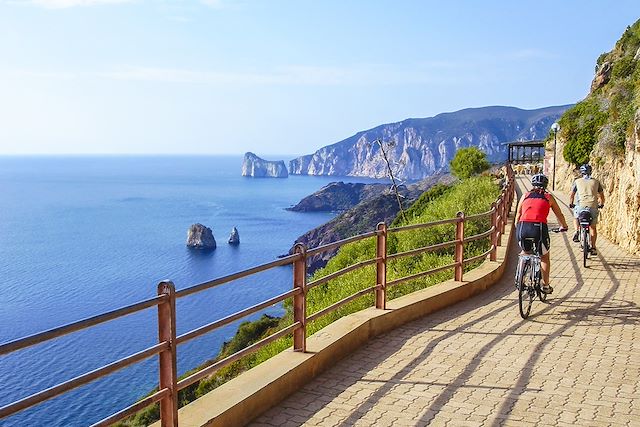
x,y
421,147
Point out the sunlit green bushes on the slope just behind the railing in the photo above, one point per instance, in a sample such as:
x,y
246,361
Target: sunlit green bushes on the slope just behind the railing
x,y
472,195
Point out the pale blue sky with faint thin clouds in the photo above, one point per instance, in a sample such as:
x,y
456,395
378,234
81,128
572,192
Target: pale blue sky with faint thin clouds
x,y
279,76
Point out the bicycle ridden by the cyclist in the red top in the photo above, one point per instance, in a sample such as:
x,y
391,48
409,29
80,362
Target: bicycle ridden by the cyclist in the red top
x,y
529,277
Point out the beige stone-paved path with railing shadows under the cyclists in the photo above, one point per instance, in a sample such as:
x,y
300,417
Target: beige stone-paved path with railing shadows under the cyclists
x,y
574,362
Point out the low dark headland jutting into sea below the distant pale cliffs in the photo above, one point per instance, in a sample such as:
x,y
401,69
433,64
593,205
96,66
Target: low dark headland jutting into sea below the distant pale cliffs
x,y
338,196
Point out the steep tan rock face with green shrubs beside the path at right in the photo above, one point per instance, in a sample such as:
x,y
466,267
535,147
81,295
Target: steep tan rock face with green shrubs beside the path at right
x,y
604,130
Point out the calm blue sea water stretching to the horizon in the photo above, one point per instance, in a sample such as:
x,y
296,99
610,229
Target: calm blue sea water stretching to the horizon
x,y
83,235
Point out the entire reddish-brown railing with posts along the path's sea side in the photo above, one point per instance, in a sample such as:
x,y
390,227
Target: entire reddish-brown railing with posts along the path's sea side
x,y
165,301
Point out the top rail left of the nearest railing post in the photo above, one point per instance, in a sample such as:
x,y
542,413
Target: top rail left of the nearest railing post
x,y
79,325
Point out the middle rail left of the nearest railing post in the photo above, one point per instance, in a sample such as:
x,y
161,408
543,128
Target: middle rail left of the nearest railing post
x,y
78,381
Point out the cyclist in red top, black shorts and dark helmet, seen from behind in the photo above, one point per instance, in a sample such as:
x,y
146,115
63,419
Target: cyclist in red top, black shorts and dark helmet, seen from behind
x,y
531,217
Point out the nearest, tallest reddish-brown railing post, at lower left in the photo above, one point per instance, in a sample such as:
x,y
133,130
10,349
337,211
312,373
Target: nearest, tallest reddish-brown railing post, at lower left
x,y
167,358
